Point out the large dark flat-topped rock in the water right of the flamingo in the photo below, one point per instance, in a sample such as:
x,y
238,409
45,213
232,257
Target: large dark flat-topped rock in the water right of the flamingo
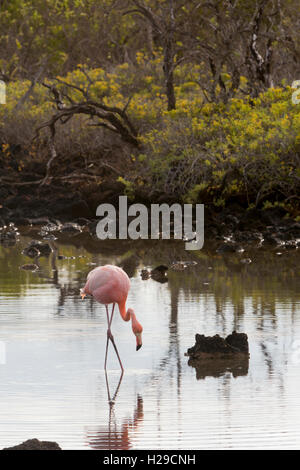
x,y
215,346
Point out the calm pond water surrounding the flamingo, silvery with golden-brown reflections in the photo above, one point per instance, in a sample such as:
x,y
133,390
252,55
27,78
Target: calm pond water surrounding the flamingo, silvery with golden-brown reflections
x,y
52,384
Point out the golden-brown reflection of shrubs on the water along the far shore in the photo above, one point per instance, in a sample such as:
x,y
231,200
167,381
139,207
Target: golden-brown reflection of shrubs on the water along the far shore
x,y
266,280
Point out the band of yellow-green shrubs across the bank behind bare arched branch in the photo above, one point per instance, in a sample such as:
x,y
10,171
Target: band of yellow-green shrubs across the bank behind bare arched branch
x,y
246,149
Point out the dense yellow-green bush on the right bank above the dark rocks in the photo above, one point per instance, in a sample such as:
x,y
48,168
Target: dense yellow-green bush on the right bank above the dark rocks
x,y
247,149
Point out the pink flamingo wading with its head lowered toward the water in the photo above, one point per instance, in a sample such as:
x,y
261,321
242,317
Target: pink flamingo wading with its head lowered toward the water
x,y
110,285
